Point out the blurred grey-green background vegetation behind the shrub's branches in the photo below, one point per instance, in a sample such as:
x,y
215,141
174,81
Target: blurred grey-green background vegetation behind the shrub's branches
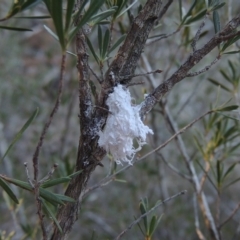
x,y
29,71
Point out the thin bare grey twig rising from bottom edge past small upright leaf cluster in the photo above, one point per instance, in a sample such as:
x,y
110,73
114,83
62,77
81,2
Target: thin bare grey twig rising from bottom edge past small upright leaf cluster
x,y
145,214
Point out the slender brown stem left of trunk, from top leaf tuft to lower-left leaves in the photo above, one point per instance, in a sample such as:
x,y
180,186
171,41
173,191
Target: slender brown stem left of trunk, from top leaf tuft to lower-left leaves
x,y
47,124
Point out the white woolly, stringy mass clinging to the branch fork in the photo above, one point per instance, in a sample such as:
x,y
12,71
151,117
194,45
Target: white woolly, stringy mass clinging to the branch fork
x,y
122,127
